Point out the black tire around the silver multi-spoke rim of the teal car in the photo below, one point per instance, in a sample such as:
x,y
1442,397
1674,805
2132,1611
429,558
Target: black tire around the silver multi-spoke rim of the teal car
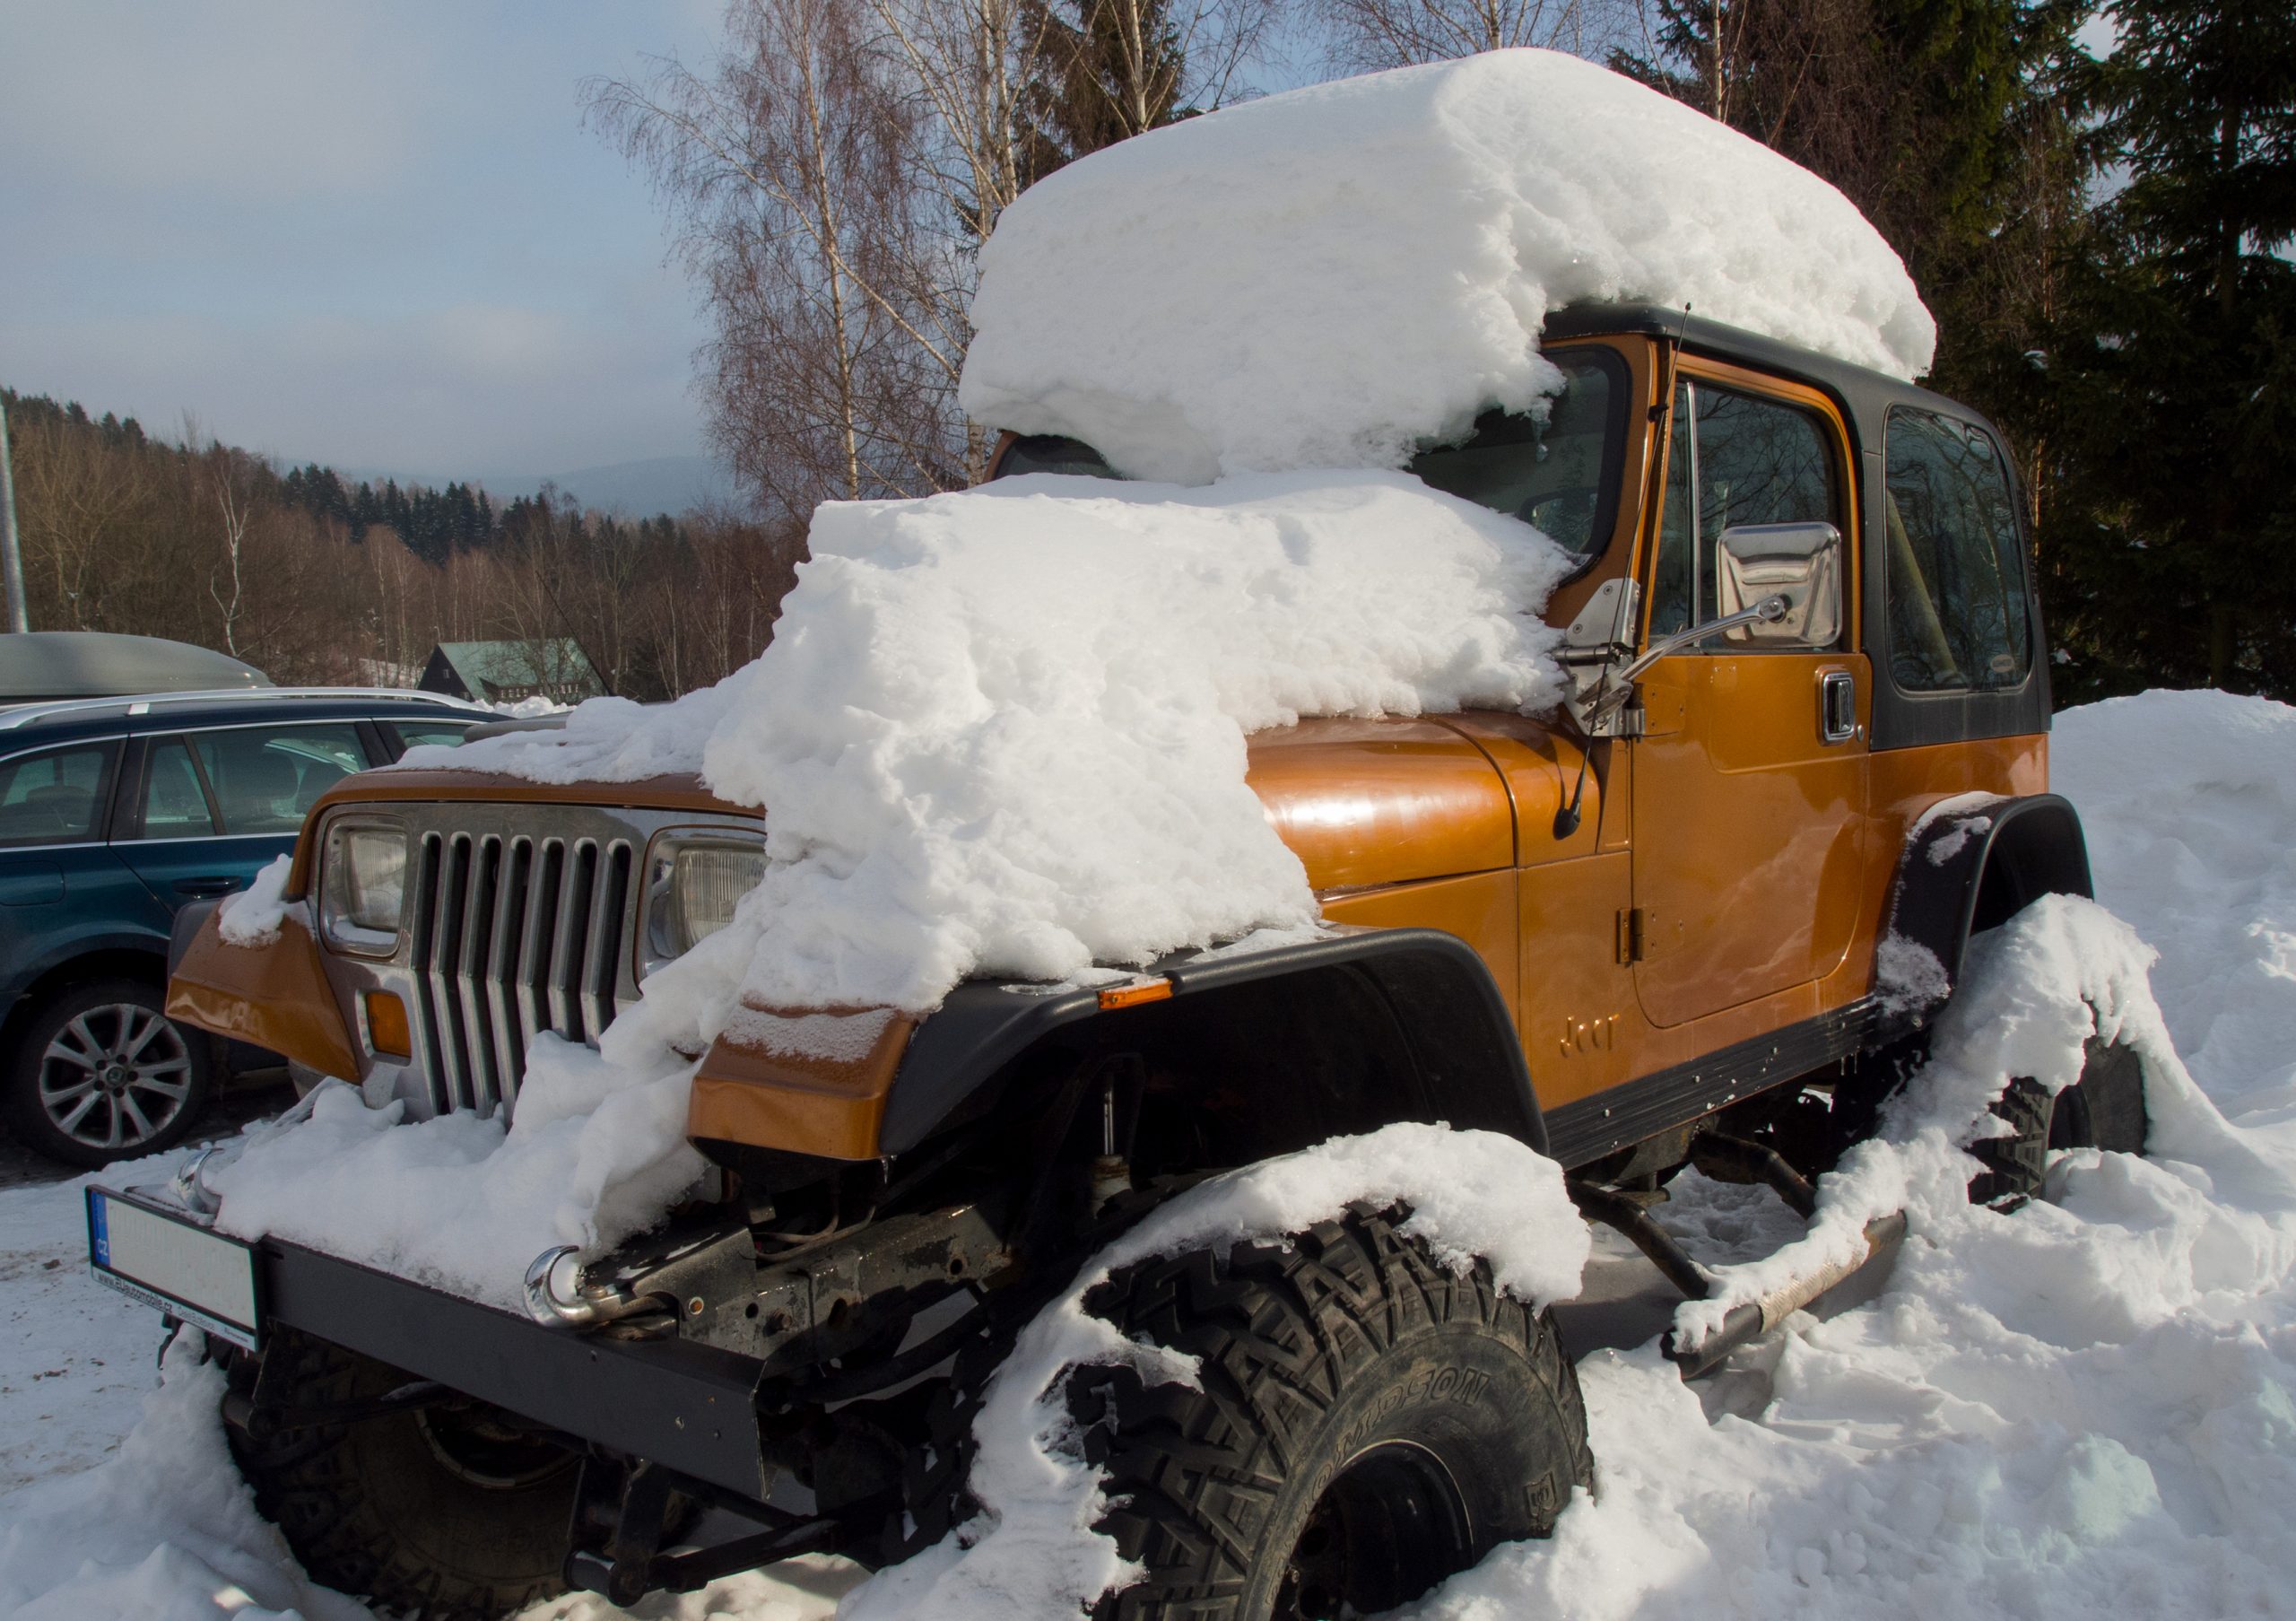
x,y
100,1002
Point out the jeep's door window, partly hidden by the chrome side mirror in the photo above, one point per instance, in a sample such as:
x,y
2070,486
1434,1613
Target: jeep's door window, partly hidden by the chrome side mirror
x,y
1732,460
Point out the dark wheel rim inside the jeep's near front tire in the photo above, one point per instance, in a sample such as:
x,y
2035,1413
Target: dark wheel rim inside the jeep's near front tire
x,y
1386,1530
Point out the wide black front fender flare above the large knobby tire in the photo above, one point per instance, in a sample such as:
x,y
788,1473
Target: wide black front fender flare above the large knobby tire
x,y
1436,988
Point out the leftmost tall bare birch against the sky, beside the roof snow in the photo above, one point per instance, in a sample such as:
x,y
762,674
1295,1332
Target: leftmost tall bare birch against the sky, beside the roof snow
x,y
789,189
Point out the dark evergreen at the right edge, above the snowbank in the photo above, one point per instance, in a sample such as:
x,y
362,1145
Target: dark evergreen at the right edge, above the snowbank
x,y
2175,366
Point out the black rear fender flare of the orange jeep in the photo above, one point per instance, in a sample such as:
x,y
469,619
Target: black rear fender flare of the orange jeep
x,y
1969,871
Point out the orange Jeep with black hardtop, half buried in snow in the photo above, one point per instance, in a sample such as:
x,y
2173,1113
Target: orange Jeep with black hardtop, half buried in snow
x,y
1698,915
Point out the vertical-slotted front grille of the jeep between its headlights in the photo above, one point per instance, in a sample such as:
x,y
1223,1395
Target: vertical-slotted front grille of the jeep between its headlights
x,y
513,936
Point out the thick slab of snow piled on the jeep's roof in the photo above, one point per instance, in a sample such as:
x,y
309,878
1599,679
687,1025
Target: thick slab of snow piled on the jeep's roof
x,y
1337,274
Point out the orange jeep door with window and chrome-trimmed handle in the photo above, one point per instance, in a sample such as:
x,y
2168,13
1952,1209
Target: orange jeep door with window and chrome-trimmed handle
x,y
1748,782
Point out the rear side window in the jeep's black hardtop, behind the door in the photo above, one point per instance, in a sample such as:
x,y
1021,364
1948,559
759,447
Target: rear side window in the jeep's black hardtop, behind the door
x,y
1957,564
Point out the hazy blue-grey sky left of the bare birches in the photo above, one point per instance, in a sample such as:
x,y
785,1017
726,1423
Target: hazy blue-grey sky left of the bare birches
x,y
371,235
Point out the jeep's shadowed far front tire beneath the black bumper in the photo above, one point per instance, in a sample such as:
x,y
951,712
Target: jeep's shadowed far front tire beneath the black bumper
x,y
375,1512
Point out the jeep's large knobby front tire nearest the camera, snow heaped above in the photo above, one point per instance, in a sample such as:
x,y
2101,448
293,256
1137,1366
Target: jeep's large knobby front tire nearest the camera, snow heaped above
x,y
1344,1379
